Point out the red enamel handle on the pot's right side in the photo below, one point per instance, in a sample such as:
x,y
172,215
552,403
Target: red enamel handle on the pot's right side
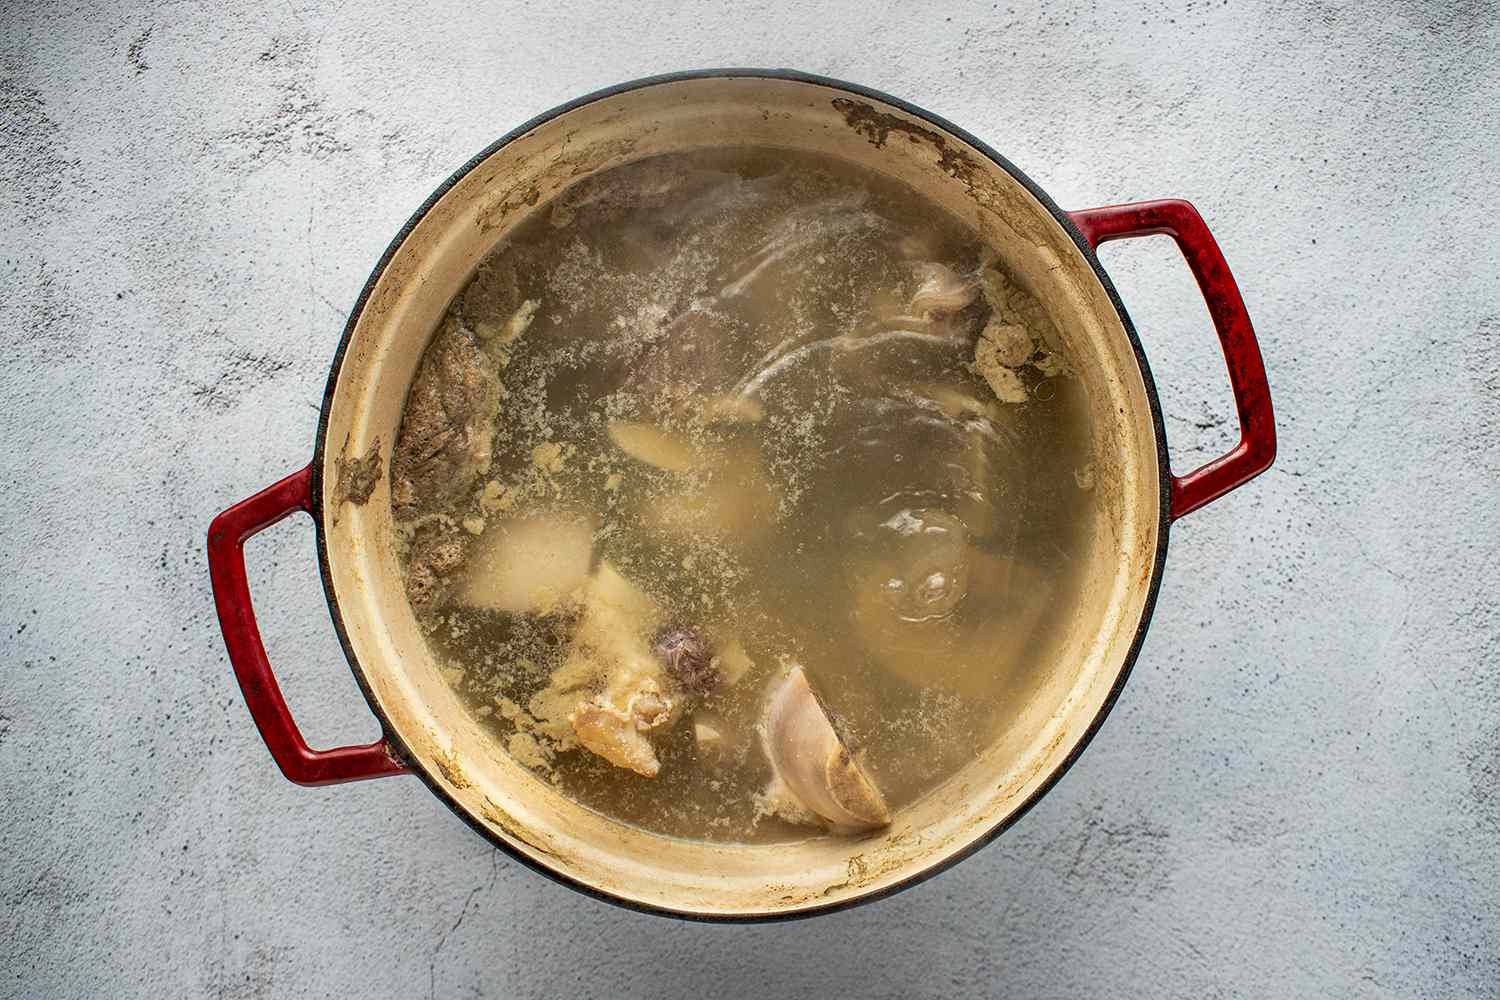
x,y
1247,376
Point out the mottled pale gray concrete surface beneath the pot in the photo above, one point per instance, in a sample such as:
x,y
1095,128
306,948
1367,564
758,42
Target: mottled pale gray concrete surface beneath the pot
x,y
1300,792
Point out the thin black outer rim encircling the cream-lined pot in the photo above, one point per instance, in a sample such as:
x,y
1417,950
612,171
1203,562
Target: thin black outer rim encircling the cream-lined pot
x,y
1165,476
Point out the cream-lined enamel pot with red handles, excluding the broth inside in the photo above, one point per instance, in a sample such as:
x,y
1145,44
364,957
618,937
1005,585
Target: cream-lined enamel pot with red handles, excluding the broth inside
x,y
347,491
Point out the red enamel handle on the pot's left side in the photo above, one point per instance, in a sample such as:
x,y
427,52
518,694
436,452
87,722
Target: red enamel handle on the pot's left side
x,y
242,638
